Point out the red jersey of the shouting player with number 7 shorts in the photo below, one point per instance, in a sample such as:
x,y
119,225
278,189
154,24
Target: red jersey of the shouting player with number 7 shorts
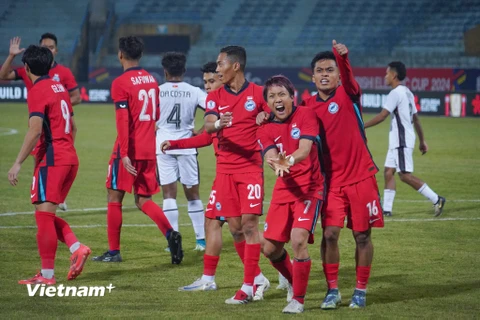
x,y
305,178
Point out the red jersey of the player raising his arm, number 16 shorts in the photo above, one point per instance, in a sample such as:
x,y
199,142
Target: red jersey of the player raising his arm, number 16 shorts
x,y
346,157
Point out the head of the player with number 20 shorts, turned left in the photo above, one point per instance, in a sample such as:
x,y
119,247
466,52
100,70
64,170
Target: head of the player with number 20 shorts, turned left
x,y
230,61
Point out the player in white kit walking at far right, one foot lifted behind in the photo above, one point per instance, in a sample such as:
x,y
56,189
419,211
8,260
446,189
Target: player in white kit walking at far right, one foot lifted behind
x,y
401,105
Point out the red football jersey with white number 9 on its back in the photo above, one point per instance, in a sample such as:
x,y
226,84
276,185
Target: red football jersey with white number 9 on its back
x,y
50,100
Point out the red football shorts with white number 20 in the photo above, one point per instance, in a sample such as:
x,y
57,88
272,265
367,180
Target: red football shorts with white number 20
x,y
237,194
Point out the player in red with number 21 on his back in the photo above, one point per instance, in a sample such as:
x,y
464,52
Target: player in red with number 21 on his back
x,y
132,164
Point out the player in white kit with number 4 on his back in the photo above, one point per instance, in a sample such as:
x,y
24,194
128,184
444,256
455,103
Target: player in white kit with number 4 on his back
x,y
178,103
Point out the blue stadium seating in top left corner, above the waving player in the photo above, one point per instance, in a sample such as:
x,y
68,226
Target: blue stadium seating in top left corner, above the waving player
x,y
63,18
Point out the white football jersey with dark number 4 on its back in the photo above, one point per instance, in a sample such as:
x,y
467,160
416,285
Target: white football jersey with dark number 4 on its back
x,y
178,103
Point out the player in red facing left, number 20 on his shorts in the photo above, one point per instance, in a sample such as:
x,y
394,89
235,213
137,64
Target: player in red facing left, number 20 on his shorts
x,y
238,187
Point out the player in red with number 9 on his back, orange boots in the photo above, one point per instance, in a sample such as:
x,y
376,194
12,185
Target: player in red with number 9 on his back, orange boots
x,y
51,122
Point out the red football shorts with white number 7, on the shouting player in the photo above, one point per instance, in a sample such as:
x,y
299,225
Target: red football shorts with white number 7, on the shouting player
x,y
283,217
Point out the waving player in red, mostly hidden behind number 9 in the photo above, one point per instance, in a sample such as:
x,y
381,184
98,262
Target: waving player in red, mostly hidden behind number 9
x,y
57,73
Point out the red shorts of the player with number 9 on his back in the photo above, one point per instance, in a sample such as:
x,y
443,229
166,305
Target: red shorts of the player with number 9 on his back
x,y
52,184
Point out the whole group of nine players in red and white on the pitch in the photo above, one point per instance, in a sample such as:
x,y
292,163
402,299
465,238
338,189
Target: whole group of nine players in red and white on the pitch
x,y
317,151
